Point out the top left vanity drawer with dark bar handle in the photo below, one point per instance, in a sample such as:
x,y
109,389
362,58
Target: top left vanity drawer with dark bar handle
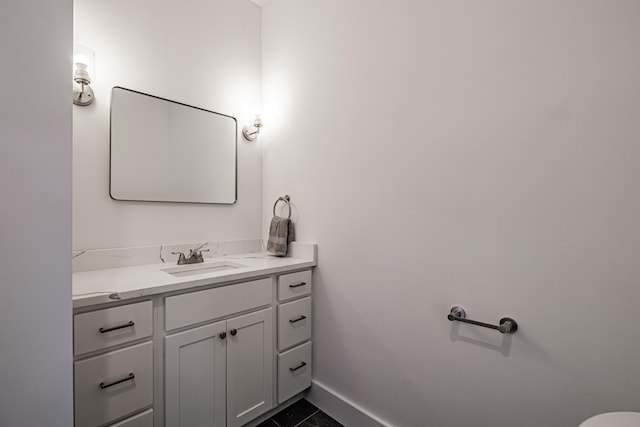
x,y
100,329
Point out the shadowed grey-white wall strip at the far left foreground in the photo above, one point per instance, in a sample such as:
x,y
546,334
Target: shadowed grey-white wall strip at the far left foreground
x,y
35,217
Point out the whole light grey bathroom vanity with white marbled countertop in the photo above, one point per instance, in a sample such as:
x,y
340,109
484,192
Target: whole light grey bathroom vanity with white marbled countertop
x,y
219,343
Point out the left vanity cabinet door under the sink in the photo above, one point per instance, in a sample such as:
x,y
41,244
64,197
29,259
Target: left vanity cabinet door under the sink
x,y
195,383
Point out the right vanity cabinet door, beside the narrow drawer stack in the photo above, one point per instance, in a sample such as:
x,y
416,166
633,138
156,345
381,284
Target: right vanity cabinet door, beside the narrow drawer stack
x,y
249,366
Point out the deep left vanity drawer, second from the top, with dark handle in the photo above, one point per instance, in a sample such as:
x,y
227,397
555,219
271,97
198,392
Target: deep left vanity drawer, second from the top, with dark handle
x,y
113,385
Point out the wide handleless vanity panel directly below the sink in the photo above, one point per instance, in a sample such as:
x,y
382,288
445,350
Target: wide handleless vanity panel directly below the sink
x,y
195,307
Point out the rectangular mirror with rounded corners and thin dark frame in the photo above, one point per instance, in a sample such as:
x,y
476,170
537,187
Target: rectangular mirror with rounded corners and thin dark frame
x,y
165,151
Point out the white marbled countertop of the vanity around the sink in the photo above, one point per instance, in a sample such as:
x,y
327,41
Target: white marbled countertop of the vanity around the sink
x,y
114,284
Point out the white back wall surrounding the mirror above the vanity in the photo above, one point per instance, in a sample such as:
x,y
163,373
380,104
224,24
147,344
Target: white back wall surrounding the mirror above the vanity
x,y
202,53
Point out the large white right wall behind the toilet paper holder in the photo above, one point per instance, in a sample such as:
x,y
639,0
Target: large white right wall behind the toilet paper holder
x,y
475,153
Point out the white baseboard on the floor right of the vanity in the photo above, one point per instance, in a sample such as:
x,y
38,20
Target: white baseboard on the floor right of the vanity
x,y
342,409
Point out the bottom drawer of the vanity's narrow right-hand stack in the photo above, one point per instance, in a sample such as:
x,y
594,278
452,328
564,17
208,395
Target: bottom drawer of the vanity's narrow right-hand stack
x,y
294,371
